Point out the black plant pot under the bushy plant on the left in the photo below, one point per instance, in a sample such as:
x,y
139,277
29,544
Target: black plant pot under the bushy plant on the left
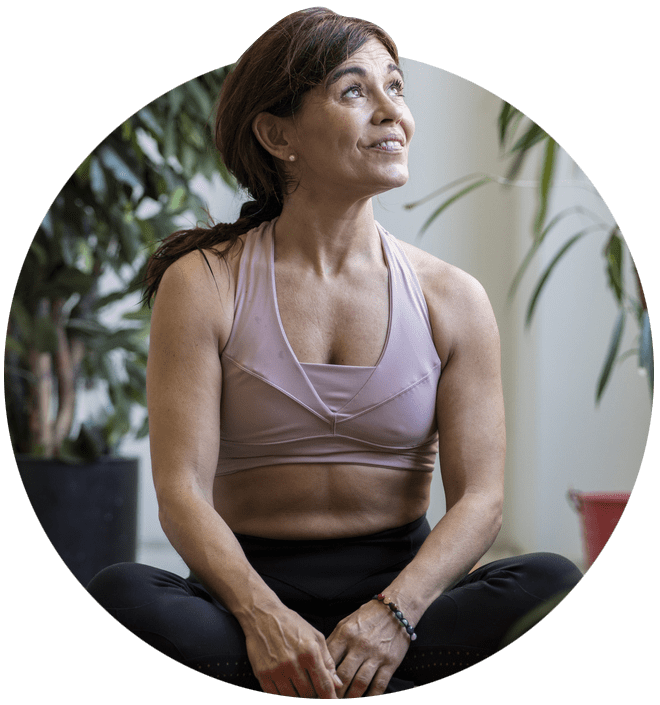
x,y
87,511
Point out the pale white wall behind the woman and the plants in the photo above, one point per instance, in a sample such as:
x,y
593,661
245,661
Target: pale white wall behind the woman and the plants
x,y
556,437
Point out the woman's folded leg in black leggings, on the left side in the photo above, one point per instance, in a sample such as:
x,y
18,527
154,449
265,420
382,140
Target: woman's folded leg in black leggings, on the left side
x,y
176,616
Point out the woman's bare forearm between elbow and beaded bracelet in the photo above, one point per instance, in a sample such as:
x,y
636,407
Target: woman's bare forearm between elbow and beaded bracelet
x,y
450,551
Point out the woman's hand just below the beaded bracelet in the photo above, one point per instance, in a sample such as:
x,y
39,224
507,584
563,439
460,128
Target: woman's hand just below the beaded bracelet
x,y
367,647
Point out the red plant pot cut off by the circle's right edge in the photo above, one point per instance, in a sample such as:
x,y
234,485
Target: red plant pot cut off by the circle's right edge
x,y
599,514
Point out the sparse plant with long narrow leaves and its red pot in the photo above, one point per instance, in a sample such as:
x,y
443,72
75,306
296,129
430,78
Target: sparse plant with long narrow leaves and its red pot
x,y
519,137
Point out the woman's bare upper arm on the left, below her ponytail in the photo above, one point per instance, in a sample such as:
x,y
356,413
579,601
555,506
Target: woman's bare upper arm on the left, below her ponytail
x,y
191,320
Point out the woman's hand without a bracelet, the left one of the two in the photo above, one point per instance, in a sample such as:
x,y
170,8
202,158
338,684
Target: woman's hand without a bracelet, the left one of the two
x,y
289,657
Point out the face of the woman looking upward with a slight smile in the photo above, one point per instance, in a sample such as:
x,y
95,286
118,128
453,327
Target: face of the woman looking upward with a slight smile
x,y
351,135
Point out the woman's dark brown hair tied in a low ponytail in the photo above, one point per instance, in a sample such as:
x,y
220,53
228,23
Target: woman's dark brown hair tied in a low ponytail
x,y
273,75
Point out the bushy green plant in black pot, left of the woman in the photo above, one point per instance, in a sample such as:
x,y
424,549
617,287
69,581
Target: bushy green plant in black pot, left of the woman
x,y
77,326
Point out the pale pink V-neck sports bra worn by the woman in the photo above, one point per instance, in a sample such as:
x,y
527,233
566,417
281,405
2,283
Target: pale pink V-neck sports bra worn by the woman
x,y
275,410
